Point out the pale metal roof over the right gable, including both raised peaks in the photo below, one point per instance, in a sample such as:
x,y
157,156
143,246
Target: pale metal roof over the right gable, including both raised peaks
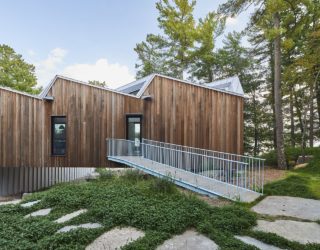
x,y
232,85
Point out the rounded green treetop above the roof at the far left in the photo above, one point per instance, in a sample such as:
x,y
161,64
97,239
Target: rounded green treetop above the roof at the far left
x,y
15,73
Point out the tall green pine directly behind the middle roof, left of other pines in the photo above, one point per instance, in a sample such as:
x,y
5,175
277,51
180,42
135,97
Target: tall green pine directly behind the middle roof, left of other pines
x,y
171,53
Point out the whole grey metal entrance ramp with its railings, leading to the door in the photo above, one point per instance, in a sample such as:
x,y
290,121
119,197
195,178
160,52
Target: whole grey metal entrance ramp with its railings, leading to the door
x,y
234,177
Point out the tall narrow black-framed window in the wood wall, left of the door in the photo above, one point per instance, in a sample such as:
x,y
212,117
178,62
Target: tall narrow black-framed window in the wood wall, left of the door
x,y
58,133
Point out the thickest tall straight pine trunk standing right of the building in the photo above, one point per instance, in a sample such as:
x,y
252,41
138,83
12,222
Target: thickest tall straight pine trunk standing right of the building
x,y
277,95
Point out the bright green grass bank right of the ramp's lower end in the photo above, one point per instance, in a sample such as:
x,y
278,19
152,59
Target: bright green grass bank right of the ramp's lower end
x,y
303,182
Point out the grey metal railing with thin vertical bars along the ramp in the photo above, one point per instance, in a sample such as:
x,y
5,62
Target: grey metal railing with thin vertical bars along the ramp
x,y
248,175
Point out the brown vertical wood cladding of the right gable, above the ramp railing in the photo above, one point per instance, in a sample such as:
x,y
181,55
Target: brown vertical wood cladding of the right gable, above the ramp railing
x,y
190,115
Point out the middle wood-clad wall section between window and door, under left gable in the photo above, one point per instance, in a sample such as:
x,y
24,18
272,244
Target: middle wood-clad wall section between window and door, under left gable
x,y
93,115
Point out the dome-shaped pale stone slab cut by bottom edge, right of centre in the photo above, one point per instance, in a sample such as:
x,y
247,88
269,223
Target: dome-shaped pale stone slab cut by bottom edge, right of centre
x,y
190,240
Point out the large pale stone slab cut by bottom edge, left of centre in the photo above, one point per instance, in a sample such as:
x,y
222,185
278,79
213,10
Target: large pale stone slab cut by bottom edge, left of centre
x,y
115,239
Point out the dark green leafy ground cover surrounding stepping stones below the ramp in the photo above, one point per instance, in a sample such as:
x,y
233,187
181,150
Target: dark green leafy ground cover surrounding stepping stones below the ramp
x,y
152,205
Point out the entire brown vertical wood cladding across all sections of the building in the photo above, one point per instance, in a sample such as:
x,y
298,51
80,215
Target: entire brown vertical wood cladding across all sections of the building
x,y
178,113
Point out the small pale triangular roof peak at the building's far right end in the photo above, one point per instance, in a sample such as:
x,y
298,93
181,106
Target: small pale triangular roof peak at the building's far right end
x,y
231,84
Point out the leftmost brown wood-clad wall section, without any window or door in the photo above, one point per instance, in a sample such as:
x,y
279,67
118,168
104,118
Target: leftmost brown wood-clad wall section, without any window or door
x,y
21,130
